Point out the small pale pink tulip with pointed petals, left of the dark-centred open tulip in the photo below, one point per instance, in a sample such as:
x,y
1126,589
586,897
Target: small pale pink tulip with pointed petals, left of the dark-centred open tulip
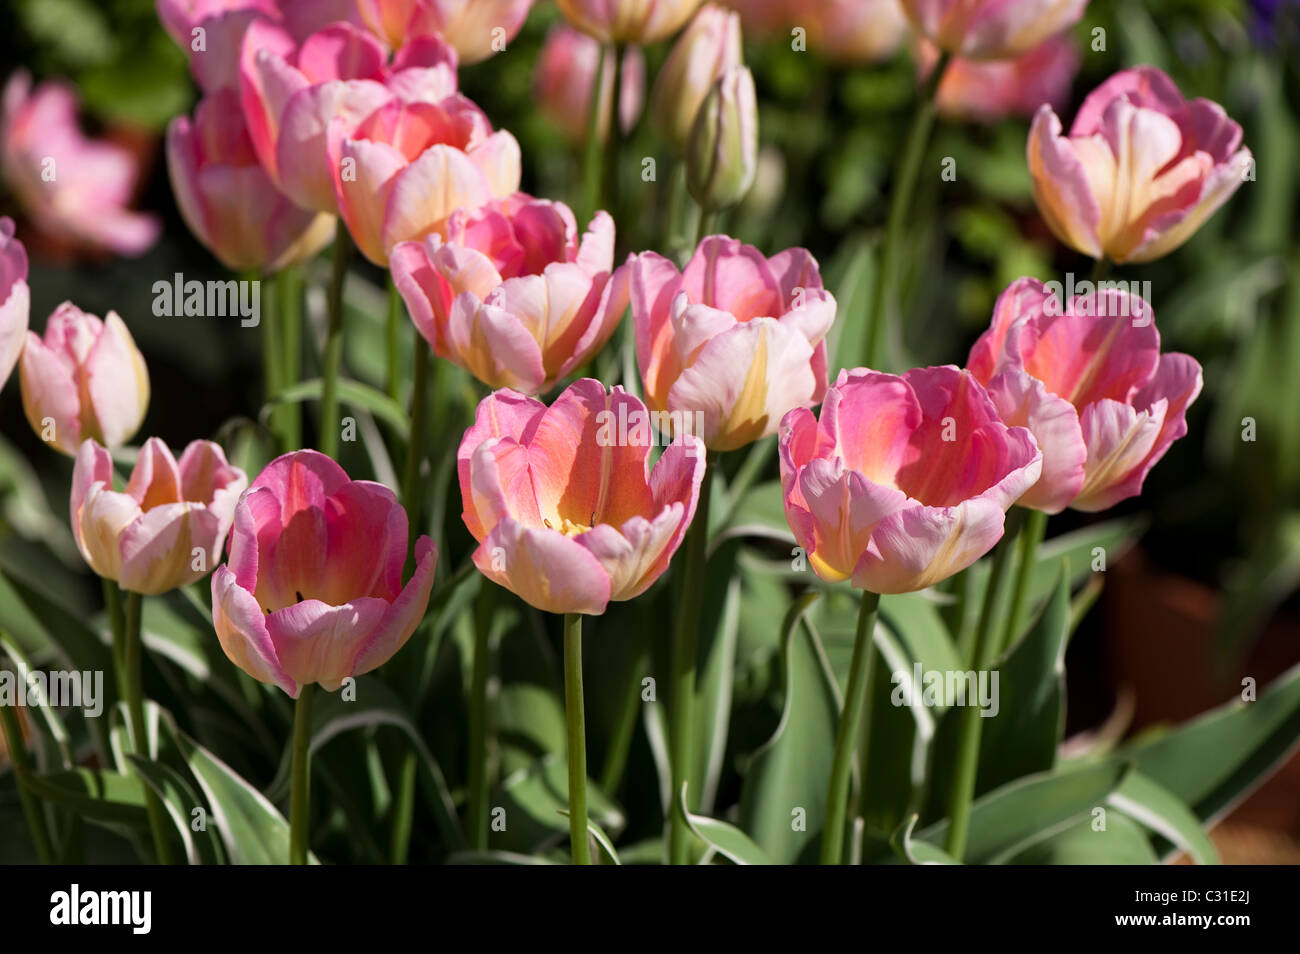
x,y
170,526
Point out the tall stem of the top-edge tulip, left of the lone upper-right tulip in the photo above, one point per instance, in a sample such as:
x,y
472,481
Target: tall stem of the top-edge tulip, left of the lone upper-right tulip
x,y
900,207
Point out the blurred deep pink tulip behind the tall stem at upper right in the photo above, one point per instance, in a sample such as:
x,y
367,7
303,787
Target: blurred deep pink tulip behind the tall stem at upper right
x,y
991,90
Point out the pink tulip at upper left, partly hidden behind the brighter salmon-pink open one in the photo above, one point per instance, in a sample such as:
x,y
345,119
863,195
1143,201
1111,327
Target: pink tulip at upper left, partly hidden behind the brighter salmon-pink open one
x,y
292,93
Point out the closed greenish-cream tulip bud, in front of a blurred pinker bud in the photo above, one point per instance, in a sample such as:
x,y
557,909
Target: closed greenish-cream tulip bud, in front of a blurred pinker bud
x,y
722,157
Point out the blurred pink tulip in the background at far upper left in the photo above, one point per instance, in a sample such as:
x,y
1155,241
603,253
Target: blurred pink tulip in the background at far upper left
x,y
75,189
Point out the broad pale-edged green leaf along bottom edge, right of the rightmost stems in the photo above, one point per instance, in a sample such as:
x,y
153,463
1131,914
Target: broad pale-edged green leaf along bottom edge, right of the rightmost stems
x,y
1006,822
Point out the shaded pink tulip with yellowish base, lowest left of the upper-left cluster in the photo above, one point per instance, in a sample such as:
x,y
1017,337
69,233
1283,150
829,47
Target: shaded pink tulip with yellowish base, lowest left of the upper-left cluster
x,y
227,198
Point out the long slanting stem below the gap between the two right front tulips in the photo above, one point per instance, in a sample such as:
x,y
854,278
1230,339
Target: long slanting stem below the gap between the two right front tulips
x,y
970,723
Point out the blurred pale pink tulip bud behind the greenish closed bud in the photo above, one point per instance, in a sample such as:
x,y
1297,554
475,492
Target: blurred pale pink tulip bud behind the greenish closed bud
x,y
705,51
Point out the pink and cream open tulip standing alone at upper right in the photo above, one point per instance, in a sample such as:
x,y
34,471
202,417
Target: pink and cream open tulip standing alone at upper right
x,y
1141,171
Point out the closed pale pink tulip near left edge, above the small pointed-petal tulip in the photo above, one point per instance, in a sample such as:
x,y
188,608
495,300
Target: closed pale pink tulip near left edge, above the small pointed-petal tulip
x,y
84,380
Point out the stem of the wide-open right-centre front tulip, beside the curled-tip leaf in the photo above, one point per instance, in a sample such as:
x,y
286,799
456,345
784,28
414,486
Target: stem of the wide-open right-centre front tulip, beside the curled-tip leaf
x,y
855,719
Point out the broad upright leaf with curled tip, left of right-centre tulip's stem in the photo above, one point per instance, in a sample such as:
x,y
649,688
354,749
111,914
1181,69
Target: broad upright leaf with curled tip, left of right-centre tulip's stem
x,y
790,773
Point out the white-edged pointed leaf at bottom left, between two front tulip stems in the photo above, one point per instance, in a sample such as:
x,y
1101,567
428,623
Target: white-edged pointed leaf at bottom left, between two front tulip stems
x,y
252,829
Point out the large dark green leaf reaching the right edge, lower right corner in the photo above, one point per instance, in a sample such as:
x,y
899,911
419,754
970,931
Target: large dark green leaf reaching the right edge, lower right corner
x,y
1219,758
